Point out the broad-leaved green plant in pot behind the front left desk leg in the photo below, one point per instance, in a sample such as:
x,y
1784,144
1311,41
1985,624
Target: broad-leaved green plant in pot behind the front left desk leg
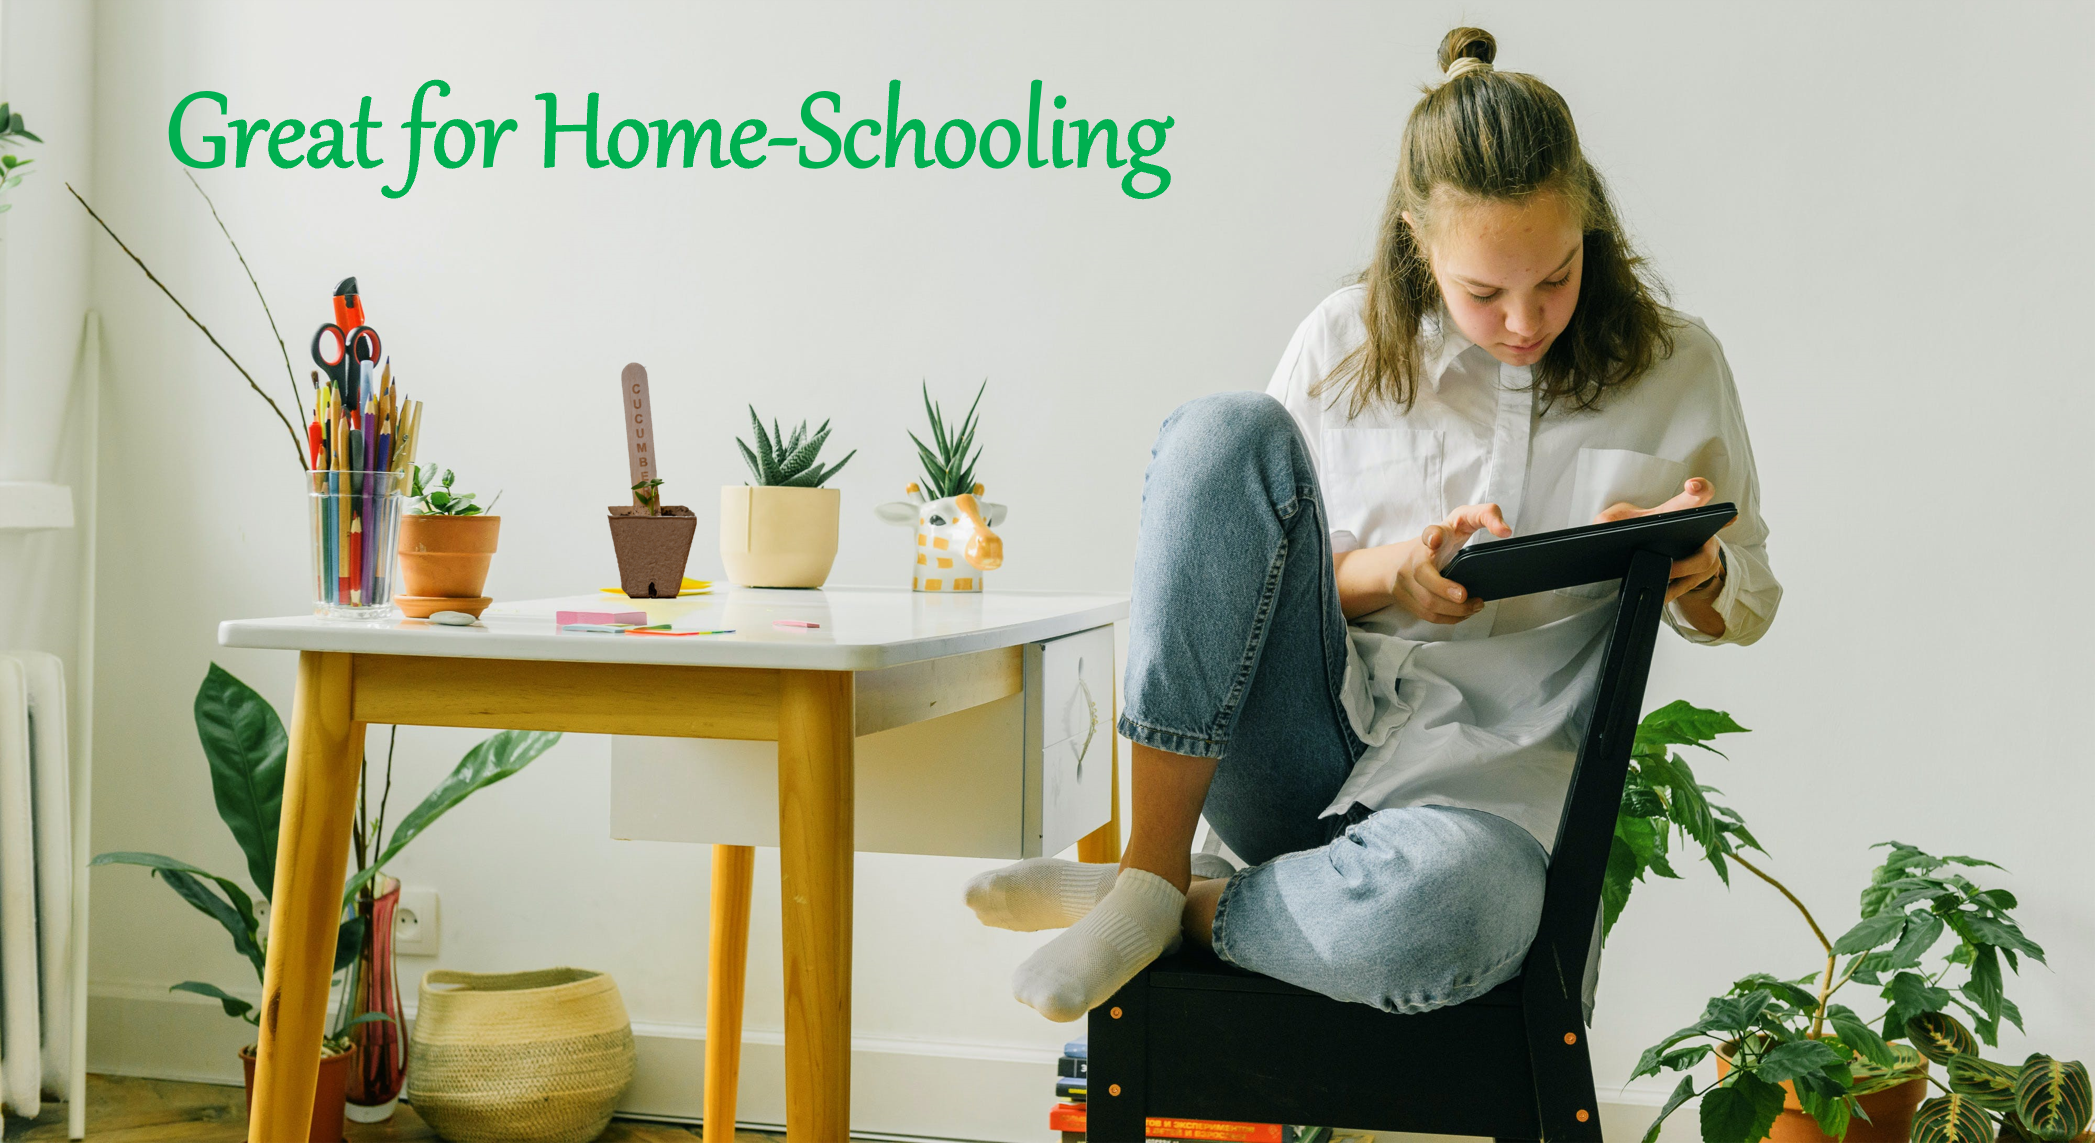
x,y
248,748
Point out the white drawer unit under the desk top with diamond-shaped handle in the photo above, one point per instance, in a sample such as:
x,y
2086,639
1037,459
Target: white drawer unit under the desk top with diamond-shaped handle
x,y
1011,778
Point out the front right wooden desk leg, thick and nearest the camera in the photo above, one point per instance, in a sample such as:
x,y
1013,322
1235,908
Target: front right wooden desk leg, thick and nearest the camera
x,y
816,866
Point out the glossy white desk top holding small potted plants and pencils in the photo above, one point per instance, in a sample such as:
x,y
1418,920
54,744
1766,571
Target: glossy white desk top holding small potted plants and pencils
x,y
862,629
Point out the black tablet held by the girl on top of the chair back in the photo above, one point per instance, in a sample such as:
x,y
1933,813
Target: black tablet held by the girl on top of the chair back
x,y
1581,556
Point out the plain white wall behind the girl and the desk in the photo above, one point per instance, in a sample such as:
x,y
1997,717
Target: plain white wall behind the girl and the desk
x,y
1880,212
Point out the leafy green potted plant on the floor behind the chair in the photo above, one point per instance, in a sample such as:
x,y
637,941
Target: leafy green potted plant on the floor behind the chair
x,y
1794,1064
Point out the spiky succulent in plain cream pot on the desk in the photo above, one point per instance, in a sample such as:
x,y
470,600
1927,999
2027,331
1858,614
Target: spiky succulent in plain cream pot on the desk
x,y
780,533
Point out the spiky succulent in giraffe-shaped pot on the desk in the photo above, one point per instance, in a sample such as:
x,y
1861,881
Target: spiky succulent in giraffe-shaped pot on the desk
x,y
954,541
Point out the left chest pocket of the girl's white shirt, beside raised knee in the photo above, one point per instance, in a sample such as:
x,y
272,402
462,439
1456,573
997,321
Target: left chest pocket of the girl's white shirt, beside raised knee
x,y
1384,485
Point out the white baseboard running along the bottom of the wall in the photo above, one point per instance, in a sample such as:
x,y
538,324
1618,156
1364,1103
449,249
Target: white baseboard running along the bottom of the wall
x,y
900,1090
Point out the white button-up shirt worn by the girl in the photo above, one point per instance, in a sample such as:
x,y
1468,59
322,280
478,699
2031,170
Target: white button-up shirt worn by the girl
x,y
1488,713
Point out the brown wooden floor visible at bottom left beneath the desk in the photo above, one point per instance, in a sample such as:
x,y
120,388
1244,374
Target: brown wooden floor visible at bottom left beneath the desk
x,y
125,1111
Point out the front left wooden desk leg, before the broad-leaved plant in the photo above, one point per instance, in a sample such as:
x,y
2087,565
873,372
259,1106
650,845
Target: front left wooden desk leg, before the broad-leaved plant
x,y
313,847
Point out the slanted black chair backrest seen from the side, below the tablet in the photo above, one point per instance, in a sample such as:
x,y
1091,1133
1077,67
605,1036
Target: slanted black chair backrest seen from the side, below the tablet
x,y
1568,939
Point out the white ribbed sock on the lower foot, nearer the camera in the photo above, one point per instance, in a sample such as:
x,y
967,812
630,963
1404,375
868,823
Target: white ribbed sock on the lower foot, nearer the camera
x,y
1078,970
